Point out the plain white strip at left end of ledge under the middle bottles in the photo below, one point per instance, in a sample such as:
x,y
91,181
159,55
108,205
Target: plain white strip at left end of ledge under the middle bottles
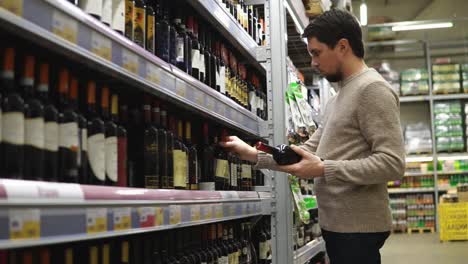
x,y
42,191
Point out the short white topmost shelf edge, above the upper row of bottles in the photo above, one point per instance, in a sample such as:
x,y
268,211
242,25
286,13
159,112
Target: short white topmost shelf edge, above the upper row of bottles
x,y
215,12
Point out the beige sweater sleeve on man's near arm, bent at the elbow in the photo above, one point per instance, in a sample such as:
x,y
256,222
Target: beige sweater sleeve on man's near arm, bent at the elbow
x,y
378,116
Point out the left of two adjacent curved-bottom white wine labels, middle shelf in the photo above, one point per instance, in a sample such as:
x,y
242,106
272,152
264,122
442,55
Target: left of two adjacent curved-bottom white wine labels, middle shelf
x,y
96,153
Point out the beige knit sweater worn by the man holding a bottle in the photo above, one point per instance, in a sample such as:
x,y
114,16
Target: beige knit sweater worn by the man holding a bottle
x,y
361,142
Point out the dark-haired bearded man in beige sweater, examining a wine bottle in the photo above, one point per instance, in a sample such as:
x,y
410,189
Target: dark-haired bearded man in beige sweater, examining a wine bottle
x,y
360,143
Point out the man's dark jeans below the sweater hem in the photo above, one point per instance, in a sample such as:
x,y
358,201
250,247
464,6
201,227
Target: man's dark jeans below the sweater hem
x,y
354,248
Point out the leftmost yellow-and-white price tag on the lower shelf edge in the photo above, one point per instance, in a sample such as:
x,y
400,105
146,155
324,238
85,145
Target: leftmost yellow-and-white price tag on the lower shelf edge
x,y
25,223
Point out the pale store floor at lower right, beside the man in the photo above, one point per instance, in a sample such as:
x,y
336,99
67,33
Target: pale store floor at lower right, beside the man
x,y
423,249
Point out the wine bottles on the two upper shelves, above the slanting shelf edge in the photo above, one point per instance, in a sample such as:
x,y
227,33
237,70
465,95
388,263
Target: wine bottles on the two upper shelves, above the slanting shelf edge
x,y
173,32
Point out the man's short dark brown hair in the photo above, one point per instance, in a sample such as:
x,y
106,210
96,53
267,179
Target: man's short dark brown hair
x,y
334,25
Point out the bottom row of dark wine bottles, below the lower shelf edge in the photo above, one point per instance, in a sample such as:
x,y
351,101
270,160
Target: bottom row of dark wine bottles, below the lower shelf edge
x,y
234,242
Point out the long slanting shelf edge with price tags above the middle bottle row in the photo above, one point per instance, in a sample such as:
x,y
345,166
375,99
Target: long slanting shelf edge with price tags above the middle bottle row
x,y
63,27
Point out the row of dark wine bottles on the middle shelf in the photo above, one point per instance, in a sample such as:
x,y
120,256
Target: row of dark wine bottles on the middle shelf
x,y
46,134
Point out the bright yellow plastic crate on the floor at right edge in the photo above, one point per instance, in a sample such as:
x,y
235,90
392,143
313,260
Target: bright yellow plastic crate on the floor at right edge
x,y
453,221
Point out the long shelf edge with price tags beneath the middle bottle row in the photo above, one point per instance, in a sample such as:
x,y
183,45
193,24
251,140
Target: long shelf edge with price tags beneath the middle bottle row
x,y
41,213
